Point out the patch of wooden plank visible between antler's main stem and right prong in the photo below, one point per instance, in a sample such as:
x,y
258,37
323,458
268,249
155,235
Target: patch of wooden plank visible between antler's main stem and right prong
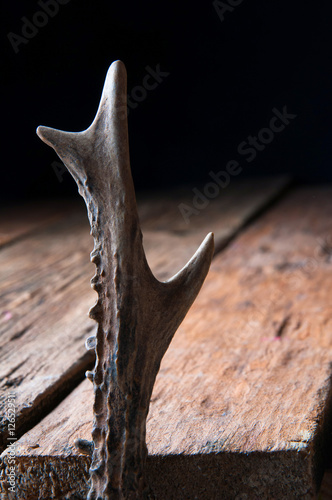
x,y
165,231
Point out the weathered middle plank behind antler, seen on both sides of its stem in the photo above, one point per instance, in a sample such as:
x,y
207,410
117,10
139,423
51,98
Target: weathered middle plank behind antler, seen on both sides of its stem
x,y
45,292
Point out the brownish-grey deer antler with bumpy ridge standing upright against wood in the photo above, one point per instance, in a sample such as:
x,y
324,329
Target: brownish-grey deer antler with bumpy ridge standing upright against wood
x,y
137,315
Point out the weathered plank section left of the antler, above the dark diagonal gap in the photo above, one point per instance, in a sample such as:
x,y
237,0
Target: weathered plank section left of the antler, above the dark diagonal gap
x,y
42,354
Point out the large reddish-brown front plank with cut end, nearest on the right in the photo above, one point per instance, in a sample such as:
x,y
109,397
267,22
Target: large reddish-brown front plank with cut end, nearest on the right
x,y
242,403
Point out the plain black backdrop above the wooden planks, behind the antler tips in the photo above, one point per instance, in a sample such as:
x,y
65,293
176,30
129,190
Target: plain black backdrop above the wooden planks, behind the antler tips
x,y
224,79
